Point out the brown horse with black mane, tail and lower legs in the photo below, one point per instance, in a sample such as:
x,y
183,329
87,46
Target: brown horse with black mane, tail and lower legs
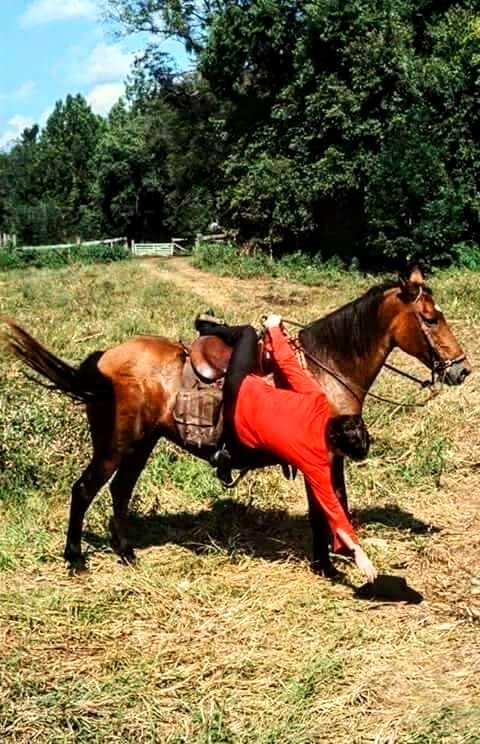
x,y
130,392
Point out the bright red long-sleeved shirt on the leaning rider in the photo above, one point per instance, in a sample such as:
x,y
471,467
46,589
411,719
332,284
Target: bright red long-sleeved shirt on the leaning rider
x,y
291,424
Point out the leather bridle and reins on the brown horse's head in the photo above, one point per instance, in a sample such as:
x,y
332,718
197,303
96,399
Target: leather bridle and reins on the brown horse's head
x,y
439,367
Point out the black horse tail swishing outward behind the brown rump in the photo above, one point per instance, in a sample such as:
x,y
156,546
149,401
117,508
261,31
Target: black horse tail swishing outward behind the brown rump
x,y
83,384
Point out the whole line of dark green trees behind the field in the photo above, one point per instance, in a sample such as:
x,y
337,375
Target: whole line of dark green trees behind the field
x,y
346,128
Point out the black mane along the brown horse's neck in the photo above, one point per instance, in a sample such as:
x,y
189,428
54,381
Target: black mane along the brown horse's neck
x,y
350,330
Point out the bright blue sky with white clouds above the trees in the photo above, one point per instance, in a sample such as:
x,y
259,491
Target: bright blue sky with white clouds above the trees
x,y
51,48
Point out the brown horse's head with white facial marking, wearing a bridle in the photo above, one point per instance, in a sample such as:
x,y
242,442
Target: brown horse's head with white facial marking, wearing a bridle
x,y
419,328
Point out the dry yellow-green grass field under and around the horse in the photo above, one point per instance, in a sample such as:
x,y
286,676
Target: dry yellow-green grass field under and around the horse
x,y
222,634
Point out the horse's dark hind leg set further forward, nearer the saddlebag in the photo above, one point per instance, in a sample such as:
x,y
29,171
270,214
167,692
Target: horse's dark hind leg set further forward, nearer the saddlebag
x,y
121,489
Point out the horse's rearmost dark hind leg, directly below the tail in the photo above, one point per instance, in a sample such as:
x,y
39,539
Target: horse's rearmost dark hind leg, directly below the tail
x,y
95,475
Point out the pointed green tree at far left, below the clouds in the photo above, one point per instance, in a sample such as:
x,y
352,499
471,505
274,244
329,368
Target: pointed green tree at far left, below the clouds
x,y
47,177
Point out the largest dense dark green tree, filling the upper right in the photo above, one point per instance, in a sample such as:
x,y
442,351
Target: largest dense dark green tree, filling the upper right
x,y
352,125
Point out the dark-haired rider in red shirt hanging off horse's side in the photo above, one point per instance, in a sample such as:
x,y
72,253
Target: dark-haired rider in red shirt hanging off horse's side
x,y
292,422
